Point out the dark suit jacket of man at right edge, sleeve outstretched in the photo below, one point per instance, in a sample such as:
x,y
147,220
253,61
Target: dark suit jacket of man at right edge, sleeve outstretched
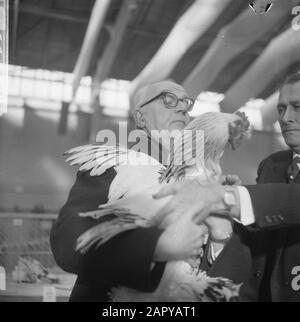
x,y
264,255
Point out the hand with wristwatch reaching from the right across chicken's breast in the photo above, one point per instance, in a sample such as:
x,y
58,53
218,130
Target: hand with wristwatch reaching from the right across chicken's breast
x,y
190,199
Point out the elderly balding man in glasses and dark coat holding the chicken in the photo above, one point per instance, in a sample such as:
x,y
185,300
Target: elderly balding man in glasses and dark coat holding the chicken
x,y
126,259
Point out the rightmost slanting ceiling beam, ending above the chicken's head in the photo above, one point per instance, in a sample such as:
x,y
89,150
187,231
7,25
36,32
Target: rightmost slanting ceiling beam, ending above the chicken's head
x,y
282,52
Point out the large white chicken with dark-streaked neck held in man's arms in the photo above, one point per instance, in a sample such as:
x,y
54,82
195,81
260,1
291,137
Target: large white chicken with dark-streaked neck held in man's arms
x,y
196,153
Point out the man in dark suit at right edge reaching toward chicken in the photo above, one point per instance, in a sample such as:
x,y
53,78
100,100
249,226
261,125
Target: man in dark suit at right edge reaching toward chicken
x,y
265,254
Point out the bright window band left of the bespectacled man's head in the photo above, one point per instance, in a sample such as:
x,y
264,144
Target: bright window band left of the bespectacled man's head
x,y
43,89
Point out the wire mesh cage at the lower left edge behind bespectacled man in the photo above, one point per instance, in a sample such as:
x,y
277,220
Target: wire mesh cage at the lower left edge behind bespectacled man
x,y
25,235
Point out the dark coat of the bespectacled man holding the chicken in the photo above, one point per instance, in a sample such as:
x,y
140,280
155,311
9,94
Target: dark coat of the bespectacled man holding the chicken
x,y
124,260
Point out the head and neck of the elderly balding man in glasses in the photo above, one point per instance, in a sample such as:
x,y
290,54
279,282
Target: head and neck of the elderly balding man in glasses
x,y
157,107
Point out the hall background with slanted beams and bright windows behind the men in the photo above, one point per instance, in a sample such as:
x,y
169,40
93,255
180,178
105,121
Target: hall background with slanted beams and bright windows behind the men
x,y
72,68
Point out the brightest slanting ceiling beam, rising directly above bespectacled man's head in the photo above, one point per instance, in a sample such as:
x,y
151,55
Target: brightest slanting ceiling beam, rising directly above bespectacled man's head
x,y
190,26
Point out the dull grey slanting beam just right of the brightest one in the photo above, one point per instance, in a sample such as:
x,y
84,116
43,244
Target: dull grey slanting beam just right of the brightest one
x,y
233,40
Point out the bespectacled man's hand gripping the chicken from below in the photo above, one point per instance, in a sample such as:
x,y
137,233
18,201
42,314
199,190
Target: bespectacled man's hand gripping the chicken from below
x,y
180,240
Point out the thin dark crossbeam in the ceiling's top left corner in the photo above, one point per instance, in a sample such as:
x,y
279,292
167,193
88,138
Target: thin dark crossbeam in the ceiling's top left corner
x,y
53,13
